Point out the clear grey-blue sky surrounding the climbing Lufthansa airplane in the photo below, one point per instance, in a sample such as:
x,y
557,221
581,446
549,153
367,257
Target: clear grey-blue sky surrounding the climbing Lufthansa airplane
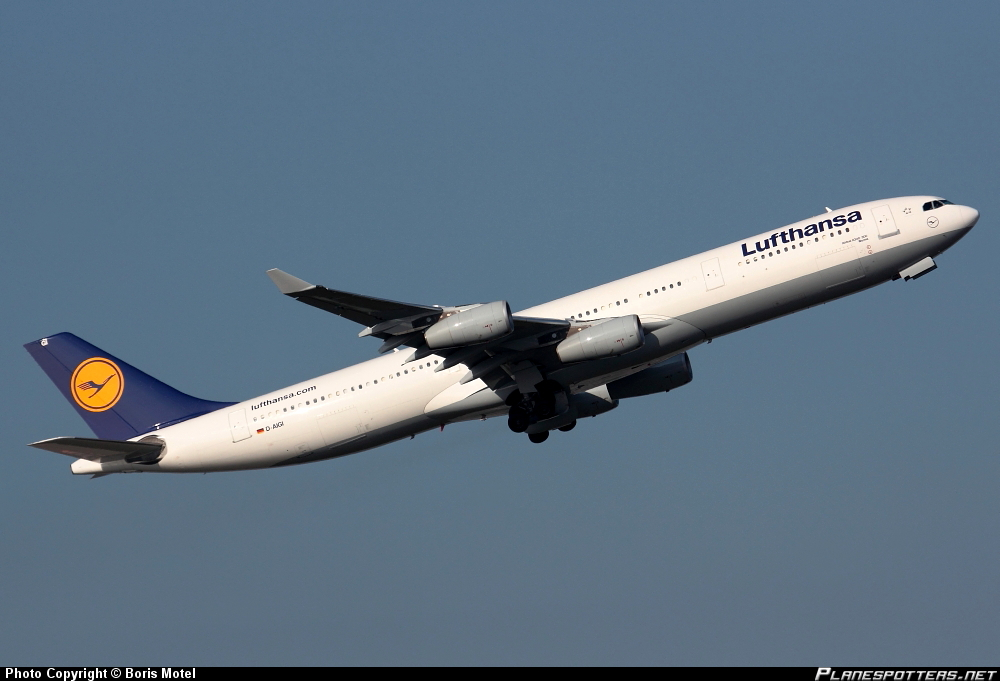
x,y
823,492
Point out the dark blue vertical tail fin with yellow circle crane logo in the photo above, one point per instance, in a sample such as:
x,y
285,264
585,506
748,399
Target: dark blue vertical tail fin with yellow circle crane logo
x,y
116,400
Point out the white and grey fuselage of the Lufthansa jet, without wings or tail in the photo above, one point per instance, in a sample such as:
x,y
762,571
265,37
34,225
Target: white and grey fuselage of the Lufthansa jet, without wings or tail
x,y
708,295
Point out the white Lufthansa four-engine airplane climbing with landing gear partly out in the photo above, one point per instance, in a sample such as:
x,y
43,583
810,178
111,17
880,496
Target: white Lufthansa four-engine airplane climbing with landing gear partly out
x,y
544,368
